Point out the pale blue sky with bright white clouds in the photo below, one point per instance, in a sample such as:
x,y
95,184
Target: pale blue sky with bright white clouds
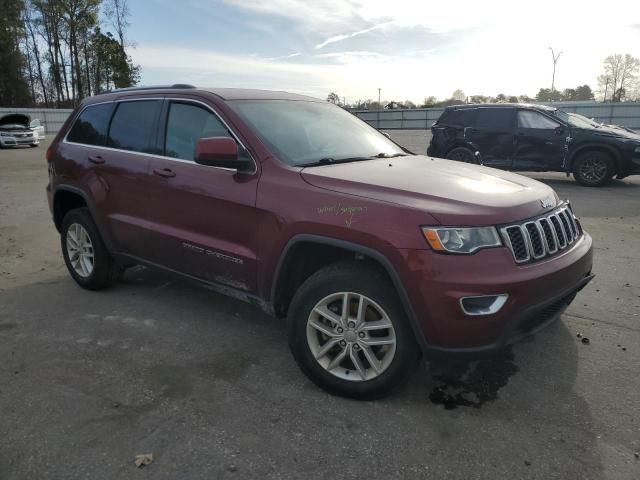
x,y
409,48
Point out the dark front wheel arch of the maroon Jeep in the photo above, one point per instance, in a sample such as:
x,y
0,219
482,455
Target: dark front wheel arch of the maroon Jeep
x,y
286,282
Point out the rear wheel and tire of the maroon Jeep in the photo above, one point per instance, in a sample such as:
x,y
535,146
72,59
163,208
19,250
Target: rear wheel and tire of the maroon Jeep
x,y
87,259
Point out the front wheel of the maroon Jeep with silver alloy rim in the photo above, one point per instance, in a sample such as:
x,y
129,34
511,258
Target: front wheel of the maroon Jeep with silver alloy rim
x,y
349,333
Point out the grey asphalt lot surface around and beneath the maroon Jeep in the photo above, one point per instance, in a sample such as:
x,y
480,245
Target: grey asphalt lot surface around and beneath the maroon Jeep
x,y
89,380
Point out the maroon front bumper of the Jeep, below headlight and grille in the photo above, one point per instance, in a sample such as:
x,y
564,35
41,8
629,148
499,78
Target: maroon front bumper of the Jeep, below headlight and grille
x,y
538,294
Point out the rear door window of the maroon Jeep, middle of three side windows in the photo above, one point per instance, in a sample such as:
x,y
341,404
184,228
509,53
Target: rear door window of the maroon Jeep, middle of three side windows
x,y
132,127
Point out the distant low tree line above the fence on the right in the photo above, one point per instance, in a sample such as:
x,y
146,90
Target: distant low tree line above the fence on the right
x,y
620,81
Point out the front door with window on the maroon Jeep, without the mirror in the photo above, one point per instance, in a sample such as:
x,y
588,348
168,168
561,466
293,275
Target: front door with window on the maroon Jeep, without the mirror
x,y
204,221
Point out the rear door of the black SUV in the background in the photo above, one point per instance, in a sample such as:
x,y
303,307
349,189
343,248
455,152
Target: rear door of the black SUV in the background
x,y
493,135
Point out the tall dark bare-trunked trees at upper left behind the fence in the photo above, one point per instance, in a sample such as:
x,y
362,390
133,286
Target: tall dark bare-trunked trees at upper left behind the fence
x,y
54,53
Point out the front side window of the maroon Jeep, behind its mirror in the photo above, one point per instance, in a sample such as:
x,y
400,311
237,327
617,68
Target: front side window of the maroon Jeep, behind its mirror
x,y
187,124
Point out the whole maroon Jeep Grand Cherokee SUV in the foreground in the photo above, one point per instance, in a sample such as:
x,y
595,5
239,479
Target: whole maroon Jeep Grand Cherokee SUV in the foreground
x,y
374,255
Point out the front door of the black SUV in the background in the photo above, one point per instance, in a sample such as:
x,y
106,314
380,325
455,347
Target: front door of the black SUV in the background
x,y
539,143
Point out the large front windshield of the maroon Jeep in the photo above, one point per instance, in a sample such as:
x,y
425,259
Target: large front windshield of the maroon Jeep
x,y
303,133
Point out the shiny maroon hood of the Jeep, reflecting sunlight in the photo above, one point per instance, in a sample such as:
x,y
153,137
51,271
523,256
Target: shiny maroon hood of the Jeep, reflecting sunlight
x,y
453,193
